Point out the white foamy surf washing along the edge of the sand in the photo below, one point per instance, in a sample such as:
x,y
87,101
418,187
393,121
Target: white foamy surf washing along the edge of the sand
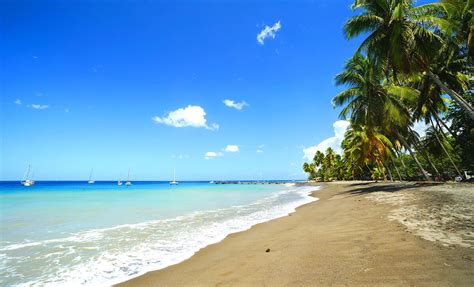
x,y
107,256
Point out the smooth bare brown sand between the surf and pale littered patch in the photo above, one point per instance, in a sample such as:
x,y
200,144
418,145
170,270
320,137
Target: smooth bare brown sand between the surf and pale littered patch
x,y
347,225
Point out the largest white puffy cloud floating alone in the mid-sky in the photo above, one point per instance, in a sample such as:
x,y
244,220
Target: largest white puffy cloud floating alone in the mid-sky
x,y
190,116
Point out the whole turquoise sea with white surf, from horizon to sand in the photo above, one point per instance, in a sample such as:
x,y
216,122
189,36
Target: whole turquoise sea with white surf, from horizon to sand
x,y
73,233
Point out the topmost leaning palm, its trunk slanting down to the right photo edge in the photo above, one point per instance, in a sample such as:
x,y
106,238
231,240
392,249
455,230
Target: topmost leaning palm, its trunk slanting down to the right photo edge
x,y
400,38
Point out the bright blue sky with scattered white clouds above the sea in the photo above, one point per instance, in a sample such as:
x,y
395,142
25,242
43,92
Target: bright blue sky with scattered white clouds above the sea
x,y
142,85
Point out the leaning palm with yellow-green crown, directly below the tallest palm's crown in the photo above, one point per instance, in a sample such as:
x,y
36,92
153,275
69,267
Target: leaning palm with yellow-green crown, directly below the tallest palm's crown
x,y
370,101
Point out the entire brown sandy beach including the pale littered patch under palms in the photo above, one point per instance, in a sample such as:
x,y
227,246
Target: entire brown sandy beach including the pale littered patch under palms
x,y
356,234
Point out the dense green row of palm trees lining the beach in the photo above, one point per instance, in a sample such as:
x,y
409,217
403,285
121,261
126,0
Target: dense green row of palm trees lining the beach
x,y
415,64
